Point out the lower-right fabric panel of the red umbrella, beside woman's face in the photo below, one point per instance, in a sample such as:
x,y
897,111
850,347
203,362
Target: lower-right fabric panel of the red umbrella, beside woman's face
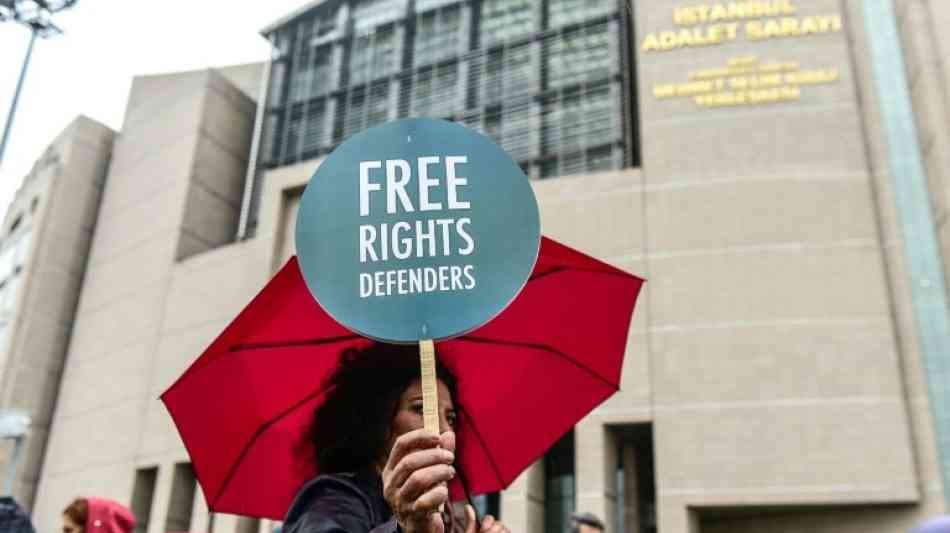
x,y
516,400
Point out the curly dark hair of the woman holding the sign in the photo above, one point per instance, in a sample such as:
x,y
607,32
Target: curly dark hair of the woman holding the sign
x,y
351,429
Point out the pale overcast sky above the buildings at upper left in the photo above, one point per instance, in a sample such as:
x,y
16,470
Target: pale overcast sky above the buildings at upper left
x,y
89,69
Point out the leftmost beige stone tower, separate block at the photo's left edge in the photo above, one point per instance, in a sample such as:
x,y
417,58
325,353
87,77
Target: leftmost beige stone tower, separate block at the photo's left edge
x,y
57,206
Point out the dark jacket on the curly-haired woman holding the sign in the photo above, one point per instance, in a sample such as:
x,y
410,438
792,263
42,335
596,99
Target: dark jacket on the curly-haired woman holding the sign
x,y
341,503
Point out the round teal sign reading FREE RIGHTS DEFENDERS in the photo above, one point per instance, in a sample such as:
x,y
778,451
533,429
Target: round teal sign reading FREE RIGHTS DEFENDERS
x,y
417,229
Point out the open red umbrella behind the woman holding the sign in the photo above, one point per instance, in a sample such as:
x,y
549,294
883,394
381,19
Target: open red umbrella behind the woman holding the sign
x,y
524,379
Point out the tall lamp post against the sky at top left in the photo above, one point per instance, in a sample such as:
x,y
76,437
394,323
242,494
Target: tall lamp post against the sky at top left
x,y
35,15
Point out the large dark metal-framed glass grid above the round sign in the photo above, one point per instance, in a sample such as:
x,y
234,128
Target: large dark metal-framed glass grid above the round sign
x,y
546,79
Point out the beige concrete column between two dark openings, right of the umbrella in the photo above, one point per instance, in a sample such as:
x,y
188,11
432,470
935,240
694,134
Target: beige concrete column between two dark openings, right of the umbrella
x,y
595,471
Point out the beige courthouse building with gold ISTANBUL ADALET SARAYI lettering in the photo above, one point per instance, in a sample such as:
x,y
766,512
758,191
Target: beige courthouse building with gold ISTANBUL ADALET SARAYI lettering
x,y
756,161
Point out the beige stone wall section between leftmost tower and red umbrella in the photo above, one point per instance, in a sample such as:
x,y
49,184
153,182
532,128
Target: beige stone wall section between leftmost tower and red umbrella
x,y
173,191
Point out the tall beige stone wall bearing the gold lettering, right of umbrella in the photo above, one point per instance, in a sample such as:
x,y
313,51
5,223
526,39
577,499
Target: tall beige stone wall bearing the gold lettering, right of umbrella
x,y
771,328
